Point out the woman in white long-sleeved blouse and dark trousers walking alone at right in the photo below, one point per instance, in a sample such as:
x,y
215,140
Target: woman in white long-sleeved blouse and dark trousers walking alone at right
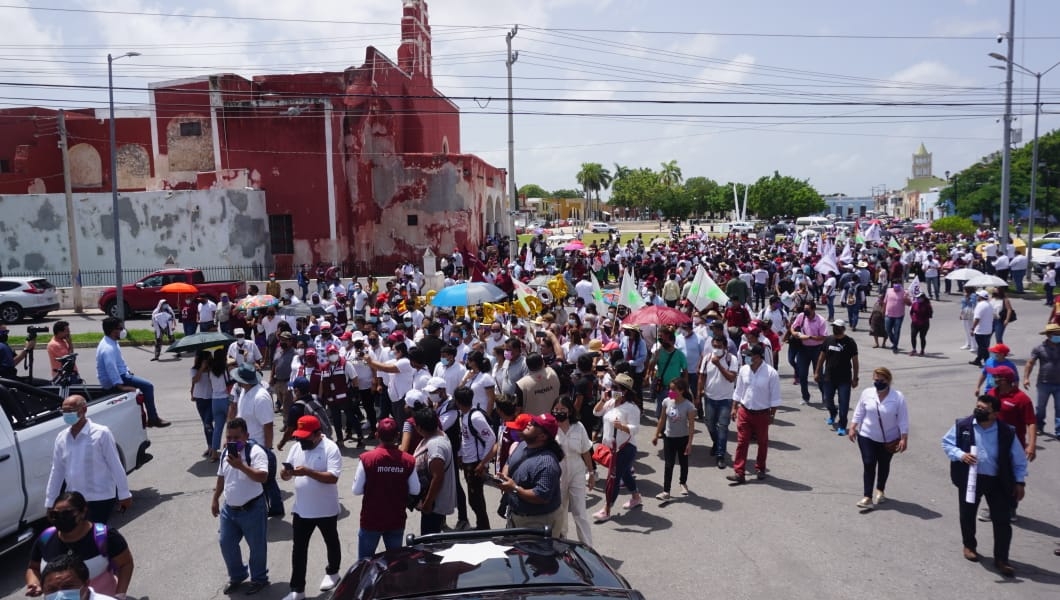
x,y
881,419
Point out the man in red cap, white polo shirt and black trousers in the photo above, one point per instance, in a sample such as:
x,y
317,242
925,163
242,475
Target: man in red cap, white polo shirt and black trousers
x,y
315,464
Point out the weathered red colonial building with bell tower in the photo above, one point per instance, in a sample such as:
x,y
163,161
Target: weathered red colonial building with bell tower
x,y
362,167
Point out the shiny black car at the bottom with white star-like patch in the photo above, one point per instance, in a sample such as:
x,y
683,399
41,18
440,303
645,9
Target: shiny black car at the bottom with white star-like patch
x,y
496,564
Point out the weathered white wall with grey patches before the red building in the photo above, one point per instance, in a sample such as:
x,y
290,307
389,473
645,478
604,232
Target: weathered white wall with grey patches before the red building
x,y
197,227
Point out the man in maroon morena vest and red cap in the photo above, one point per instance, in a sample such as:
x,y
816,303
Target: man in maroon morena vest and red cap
x,y
386,478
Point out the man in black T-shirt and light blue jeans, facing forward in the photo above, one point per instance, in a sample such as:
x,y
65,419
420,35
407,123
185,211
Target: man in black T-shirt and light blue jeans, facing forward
x,y
837,373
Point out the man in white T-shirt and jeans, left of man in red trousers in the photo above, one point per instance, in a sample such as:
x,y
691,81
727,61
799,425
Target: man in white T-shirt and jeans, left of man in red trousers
x,y
718,374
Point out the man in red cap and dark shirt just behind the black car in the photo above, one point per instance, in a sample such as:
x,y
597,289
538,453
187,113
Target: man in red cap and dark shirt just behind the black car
x,y
532,479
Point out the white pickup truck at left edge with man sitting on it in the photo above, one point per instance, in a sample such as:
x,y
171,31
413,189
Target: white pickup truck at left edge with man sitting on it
x,y
30,421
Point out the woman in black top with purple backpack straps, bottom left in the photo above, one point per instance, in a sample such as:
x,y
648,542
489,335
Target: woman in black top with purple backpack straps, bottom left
x,y
103,551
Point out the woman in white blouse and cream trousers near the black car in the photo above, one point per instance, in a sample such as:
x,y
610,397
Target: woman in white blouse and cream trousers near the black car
x,y
577,461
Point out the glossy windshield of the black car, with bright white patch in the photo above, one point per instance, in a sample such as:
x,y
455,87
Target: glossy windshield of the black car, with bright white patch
x,y
504,563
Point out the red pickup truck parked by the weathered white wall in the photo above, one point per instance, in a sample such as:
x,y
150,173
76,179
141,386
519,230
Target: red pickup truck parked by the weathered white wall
x,y
144,296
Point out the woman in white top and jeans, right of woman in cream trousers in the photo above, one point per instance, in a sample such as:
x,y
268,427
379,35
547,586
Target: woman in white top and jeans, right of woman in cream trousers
x,y
621,420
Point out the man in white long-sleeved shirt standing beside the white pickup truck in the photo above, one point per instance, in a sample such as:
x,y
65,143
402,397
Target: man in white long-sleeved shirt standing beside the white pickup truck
x,y
85,456
